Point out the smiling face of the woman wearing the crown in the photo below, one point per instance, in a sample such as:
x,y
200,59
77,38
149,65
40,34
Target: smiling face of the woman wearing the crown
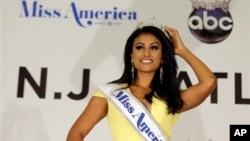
x,y
146,53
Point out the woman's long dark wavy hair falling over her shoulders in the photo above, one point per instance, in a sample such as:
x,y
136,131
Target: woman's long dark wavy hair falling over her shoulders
x,y
167,90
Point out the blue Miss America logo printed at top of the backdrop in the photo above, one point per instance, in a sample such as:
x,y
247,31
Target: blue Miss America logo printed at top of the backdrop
x,y
83,17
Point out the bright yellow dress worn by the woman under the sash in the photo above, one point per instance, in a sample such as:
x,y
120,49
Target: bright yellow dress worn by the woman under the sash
x,y
122,130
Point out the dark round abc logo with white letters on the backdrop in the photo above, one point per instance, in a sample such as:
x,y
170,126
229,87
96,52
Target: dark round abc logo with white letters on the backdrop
x,y
210,26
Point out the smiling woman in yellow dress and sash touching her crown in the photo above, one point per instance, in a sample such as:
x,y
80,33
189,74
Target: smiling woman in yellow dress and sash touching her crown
x,y
148,82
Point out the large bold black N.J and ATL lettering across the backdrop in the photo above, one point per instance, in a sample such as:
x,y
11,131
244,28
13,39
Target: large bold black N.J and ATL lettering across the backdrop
x,y
40,88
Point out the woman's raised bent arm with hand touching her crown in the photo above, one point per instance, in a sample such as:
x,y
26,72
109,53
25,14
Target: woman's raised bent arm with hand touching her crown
x,y
196,94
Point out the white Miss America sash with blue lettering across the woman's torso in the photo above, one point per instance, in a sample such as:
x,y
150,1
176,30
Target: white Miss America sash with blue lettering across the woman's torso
x,y
135,112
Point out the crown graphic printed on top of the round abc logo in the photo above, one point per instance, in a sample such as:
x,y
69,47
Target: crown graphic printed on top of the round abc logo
x,y
211,4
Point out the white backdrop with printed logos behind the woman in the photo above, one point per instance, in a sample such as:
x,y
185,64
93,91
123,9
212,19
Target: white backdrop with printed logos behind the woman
x,y
45,40
